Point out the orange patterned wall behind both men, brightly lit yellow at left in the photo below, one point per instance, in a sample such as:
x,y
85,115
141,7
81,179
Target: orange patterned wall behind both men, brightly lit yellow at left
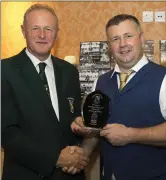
x,y
79,21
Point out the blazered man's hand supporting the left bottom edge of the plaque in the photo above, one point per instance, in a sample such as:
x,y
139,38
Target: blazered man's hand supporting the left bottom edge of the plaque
x,y
79,128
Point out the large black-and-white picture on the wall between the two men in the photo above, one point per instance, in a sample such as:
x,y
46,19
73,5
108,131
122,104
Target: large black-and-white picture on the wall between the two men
x,y
94,61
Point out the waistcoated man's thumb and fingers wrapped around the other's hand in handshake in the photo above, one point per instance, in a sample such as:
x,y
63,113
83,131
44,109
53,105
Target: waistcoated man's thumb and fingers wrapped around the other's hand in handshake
x,y
73,170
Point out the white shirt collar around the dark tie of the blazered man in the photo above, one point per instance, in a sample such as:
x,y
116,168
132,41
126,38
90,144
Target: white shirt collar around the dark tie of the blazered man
x,y
36,61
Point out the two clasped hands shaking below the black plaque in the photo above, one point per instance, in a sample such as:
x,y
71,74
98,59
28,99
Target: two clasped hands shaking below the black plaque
x,y
73,159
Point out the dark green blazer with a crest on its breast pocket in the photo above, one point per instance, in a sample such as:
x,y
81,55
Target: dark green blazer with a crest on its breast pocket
x,y
32,137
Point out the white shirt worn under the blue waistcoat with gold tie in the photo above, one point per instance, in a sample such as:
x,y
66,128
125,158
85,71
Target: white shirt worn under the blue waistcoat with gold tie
x,y
136,68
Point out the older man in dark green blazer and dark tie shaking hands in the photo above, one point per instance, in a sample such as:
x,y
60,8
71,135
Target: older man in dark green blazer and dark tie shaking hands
x,y
40,99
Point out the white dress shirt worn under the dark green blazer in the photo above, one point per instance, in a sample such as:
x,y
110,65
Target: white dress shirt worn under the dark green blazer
x,y
49,71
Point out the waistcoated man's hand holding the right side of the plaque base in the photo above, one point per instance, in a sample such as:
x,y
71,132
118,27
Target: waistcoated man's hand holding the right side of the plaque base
x,y
117,134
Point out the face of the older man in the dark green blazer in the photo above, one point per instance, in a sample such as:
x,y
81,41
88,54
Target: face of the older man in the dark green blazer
x,y
40,30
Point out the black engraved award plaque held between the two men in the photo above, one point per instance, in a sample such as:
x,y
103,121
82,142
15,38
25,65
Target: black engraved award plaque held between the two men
x,y
96,110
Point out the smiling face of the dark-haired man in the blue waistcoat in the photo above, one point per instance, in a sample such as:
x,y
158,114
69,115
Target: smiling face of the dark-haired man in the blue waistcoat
x,y
125,42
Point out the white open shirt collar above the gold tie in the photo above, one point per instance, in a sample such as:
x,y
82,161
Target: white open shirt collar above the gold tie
x,y
136,67
